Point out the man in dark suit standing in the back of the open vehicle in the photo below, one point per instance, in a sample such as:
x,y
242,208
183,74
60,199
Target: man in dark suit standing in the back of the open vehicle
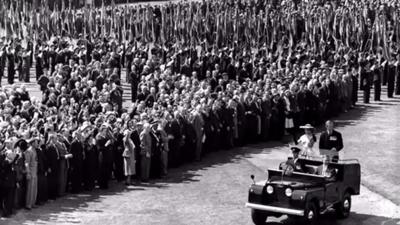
x,y
331,139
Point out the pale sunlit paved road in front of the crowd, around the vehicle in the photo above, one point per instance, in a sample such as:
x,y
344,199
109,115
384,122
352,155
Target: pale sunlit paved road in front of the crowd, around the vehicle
x,y
214,191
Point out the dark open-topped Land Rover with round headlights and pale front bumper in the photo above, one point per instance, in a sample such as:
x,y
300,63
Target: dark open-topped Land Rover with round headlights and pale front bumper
x,y
307,194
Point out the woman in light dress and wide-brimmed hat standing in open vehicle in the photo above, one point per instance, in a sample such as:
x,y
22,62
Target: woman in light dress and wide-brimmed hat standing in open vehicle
x,y
307,141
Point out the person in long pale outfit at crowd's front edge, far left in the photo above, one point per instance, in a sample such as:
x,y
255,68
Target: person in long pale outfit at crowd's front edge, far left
x,y
31,165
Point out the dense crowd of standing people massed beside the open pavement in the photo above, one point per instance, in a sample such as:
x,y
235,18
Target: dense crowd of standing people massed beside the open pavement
x,y
204,76
